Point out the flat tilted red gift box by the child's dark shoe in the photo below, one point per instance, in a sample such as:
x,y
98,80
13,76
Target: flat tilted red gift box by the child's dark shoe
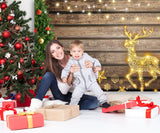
x,y
128,104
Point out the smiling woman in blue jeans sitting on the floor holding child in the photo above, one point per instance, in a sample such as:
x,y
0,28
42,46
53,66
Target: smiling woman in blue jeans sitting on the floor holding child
x,y
56,60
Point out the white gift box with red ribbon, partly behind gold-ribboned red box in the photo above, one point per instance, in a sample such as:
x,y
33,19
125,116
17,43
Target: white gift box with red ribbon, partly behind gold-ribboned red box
x,y
7,111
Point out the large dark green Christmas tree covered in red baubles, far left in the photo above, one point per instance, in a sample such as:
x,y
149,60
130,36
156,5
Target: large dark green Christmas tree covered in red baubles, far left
x,y
19,70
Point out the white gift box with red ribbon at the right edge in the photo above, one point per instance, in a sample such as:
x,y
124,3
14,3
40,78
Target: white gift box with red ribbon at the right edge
x,y
142,112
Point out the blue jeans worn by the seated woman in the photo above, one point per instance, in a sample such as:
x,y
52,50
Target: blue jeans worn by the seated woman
x,y
50,81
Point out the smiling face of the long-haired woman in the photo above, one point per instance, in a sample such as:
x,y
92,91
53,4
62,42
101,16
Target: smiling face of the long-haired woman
x,y
57,51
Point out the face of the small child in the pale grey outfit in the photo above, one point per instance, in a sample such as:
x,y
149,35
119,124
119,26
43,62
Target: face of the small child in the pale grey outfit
x,y
76,52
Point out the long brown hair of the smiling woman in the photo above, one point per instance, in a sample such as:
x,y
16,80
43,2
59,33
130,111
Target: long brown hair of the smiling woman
x,y
51,64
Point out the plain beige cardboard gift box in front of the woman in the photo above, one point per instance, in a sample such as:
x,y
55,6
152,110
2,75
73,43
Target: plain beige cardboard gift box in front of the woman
x,y
59,112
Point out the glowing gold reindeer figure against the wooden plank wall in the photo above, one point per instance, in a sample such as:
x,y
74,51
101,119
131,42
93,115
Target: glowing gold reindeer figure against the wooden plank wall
x,y
140,64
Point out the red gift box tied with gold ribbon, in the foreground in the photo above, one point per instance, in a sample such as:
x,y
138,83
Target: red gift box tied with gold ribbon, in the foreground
x,y
25,120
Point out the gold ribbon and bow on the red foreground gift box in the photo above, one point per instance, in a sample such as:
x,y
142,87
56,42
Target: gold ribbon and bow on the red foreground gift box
x,y
29,117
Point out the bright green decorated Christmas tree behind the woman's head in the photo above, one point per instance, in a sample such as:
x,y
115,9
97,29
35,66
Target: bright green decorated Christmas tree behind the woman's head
x,y
43,29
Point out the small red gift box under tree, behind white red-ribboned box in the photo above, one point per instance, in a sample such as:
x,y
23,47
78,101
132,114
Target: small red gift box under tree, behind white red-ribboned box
x,y
9,103
